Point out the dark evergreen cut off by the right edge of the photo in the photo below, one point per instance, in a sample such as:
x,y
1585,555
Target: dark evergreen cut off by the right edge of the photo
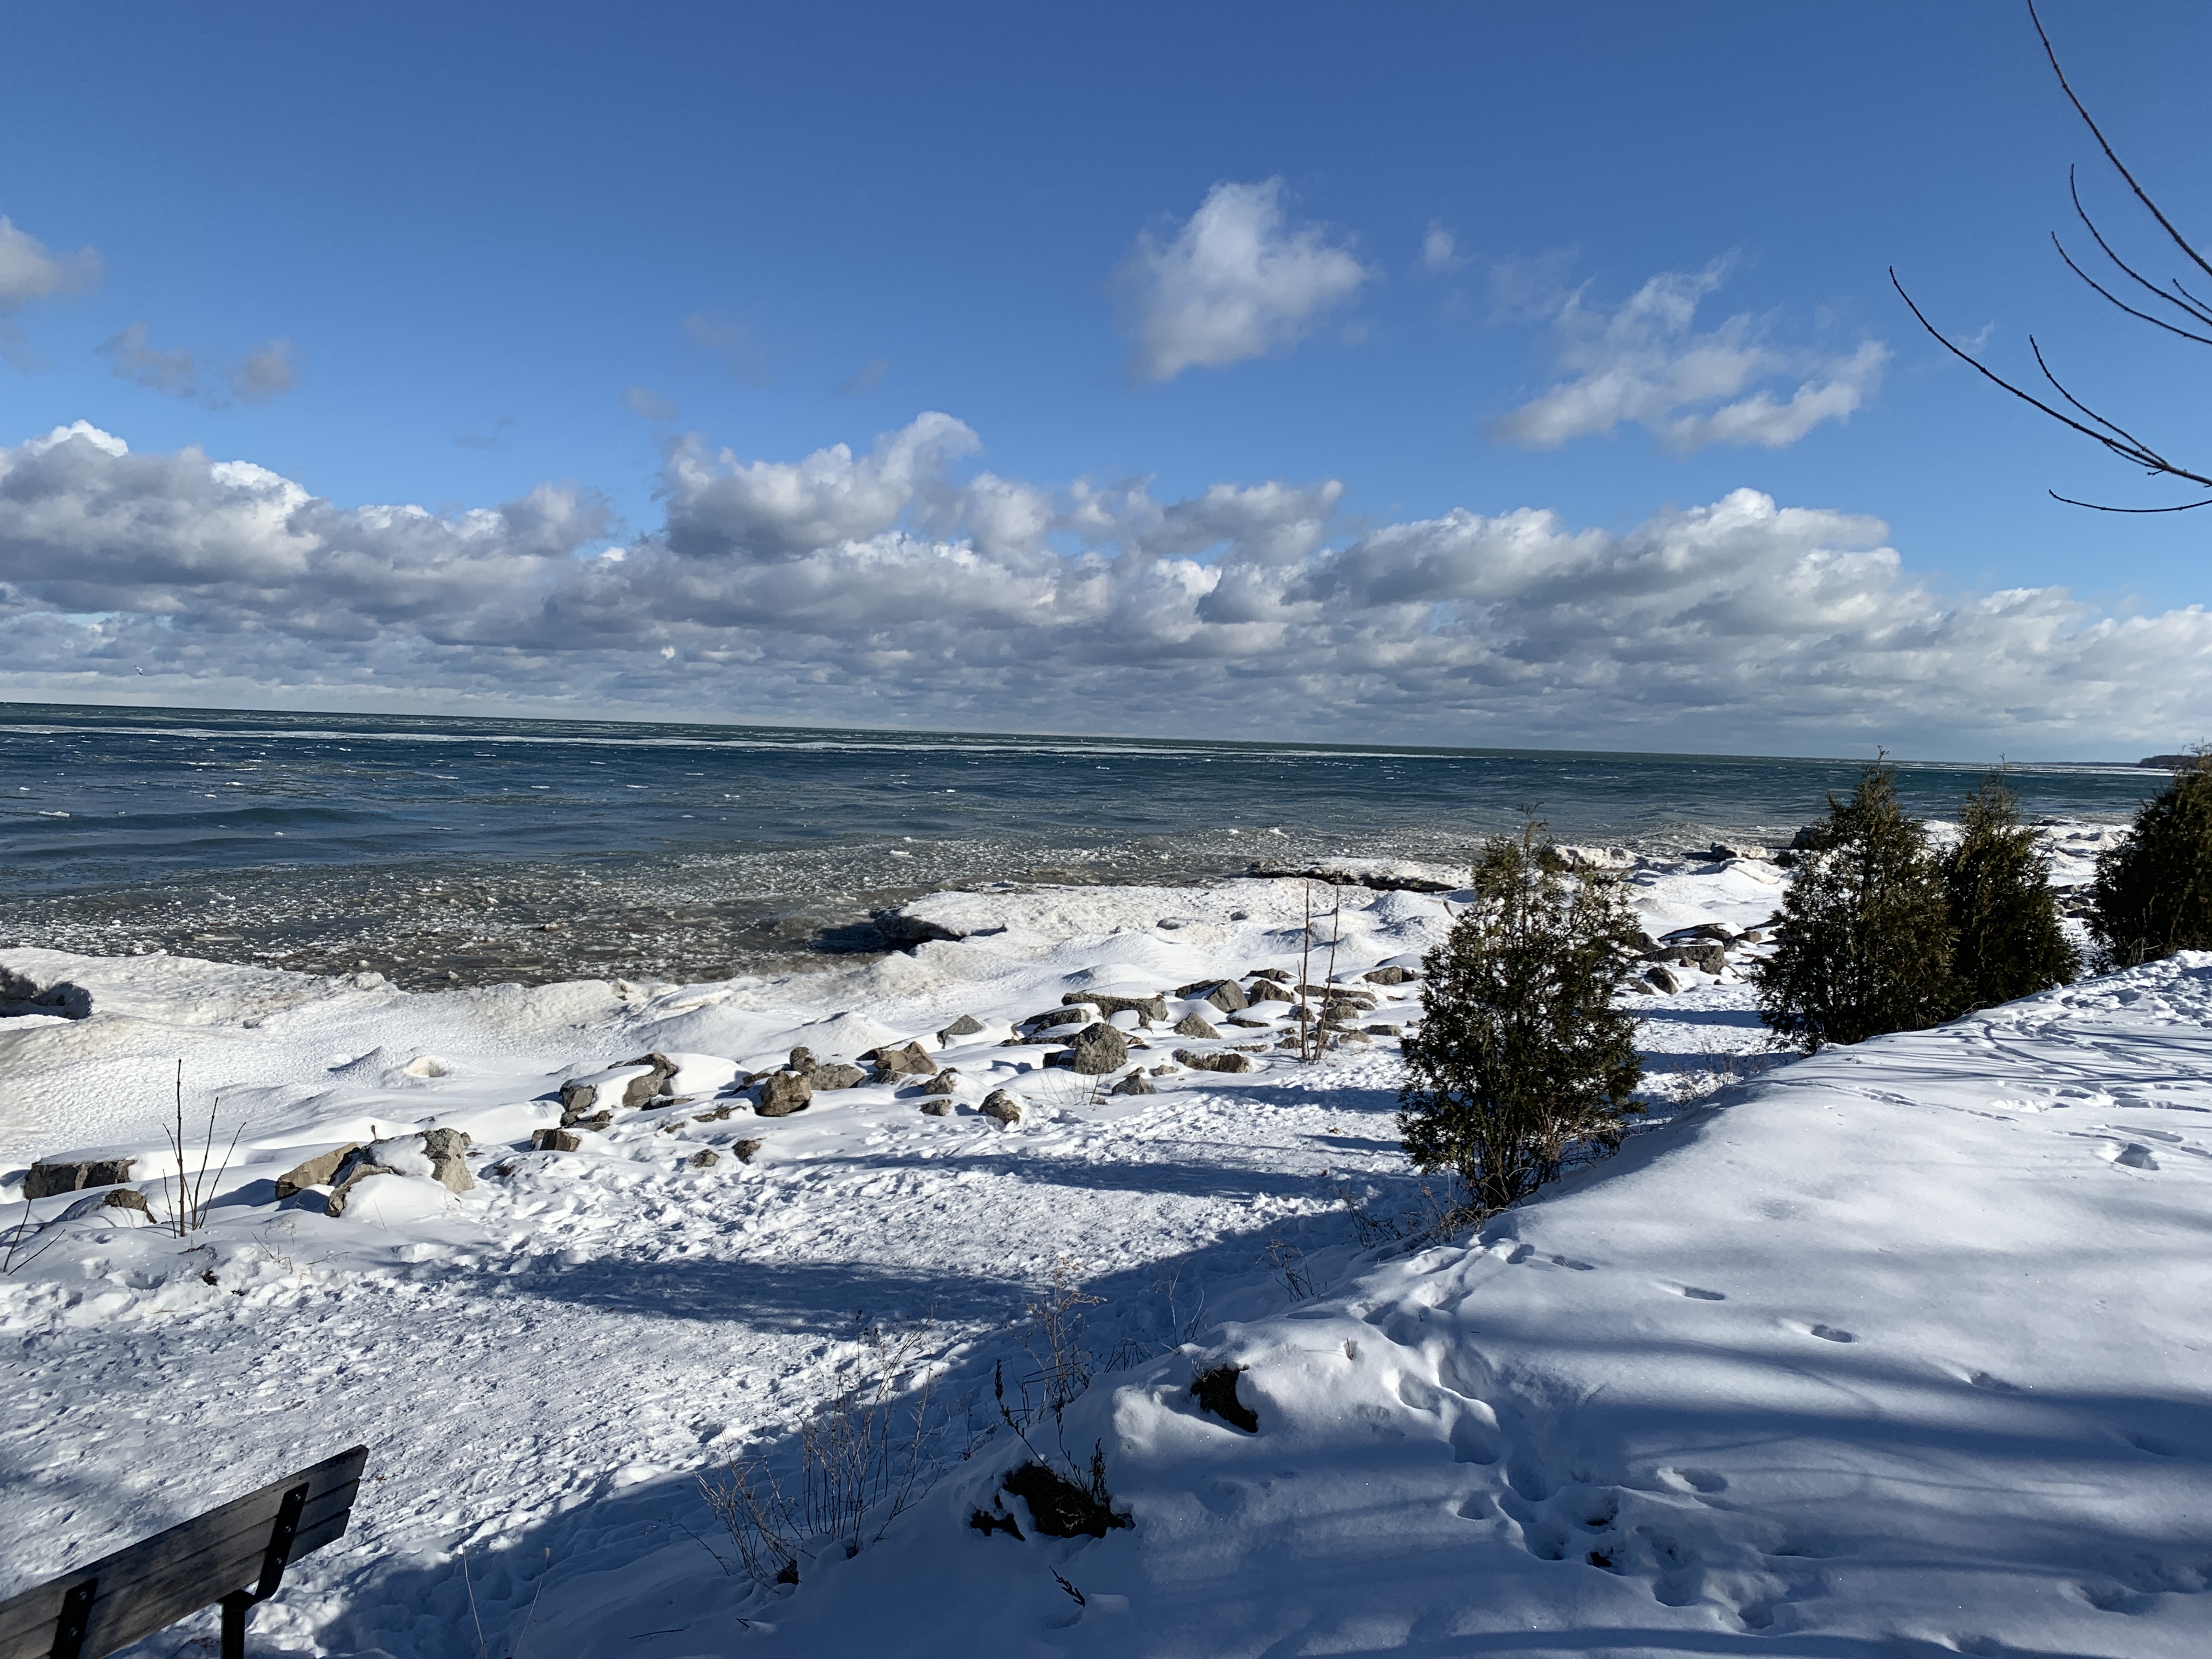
x,y
2153,893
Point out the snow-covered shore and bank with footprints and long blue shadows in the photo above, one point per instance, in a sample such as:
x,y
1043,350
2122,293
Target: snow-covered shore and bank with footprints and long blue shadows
x,y
1899,1350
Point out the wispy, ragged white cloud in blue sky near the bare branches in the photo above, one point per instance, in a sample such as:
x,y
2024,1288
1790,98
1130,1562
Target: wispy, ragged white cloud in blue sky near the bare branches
x,y
1647,364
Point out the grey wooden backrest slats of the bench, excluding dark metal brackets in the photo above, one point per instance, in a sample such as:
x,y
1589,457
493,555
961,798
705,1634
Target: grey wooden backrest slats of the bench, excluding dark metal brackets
x,y
194,1565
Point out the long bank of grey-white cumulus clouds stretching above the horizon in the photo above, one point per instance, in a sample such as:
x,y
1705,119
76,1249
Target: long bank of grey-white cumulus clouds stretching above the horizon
x,y
886,589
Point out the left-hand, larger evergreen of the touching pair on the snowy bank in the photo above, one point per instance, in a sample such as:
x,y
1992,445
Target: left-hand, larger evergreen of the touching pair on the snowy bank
x,y
1866,937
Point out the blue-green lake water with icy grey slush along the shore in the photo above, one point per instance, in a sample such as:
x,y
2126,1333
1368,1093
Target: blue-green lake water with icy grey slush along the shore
x,y
466,851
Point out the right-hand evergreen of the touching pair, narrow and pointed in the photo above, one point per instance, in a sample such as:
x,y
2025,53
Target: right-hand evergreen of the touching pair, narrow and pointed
x,y
2005,919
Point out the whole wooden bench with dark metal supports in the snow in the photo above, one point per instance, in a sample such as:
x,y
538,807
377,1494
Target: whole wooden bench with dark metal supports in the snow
x,y
236,1556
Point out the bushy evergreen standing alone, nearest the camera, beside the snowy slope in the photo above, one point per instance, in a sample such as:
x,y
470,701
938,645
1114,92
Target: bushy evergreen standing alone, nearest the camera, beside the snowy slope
x,y
1521,1052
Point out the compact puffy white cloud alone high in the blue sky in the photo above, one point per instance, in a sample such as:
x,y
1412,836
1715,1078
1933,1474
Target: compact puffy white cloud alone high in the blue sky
x,y
1233,284
